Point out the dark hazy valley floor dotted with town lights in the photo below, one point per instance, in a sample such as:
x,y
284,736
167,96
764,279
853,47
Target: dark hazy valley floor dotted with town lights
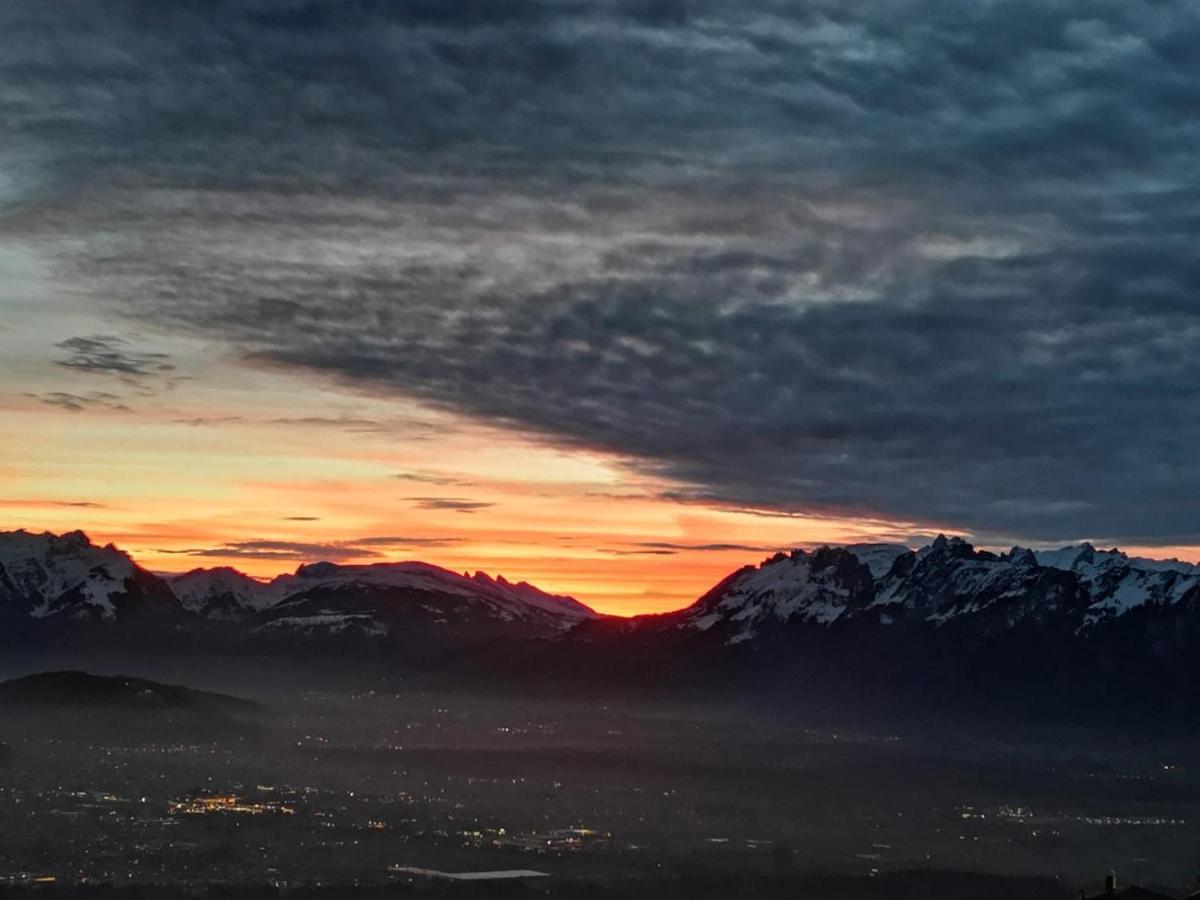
x,y
664,797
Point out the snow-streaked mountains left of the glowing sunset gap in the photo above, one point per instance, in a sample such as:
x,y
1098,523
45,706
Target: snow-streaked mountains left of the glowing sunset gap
x,y
46,578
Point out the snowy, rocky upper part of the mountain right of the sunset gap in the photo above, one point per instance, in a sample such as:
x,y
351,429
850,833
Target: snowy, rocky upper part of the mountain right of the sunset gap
x,y
947,583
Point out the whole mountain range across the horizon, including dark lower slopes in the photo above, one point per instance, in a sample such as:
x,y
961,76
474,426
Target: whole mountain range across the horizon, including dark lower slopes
x,y
1025,622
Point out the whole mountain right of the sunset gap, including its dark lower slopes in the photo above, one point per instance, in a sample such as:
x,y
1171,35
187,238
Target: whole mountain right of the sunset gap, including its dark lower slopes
x,y
1076,634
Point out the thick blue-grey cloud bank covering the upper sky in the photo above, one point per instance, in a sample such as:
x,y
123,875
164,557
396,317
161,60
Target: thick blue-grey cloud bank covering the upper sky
x,y
933,262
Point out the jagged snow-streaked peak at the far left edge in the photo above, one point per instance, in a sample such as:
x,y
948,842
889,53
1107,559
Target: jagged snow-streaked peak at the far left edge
x,y
68,578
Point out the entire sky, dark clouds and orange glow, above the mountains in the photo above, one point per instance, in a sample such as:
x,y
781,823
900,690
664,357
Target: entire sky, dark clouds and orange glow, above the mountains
x,y
611,297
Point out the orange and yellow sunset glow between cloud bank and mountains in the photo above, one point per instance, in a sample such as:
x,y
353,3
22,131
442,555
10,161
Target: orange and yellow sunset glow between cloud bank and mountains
x,y
181,489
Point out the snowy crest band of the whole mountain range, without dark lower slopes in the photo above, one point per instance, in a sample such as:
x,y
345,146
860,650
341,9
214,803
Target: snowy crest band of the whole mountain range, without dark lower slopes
x,y
49,575
